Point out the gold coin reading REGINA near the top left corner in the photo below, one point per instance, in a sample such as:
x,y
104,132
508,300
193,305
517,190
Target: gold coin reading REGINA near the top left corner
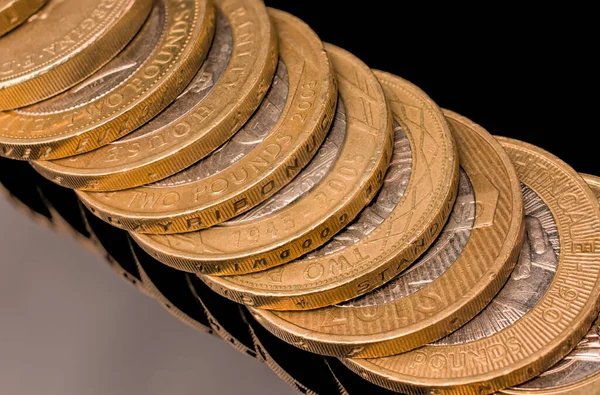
x,y
61,45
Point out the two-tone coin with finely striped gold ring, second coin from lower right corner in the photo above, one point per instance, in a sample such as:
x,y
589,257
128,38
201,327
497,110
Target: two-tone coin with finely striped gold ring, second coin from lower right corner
x,y
457,277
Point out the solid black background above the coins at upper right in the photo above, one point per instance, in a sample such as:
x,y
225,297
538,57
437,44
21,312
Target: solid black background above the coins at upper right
x,y
518,72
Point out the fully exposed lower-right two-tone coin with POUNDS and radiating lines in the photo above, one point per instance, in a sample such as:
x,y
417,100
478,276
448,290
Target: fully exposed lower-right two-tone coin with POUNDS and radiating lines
x,y
545,308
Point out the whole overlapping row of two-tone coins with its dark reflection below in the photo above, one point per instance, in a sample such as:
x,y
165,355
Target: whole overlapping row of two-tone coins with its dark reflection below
x,y
273,189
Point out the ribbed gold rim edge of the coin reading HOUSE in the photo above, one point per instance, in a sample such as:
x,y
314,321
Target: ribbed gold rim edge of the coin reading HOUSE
x,y
217,129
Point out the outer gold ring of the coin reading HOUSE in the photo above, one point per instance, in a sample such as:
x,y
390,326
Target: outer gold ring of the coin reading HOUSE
x,y
216,118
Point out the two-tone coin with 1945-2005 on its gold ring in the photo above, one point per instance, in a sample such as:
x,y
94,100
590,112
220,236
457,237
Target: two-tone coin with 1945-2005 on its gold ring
x,y
344,176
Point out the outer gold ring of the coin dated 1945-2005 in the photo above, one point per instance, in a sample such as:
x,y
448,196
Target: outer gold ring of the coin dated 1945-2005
x,y
315,217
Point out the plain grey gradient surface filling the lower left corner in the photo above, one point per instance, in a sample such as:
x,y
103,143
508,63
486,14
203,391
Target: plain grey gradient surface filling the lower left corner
x,y
69,325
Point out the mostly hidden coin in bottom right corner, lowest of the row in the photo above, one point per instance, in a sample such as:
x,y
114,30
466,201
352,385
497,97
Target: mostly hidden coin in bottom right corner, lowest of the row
x,y
579,372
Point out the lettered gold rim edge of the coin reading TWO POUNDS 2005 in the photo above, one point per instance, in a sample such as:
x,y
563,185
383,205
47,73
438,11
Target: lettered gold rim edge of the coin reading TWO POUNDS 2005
x,y
312,131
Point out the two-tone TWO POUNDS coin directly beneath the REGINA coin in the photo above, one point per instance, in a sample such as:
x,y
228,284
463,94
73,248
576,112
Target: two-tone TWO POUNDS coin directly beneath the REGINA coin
x,y
135,86
